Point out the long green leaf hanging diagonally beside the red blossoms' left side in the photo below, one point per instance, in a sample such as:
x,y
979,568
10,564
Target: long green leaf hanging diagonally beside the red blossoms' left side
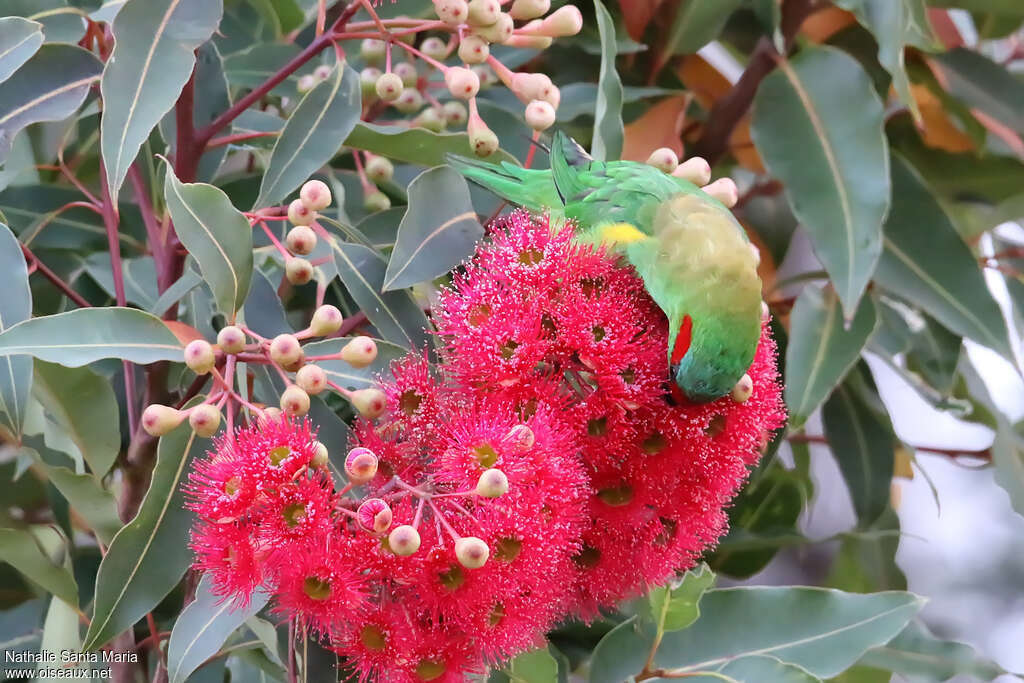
x,y
150,554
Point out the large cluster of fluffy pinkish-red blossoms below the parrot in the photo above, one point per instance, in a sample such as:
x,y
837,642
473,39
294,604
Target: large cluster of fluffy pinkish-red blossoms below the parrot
x,y
540,473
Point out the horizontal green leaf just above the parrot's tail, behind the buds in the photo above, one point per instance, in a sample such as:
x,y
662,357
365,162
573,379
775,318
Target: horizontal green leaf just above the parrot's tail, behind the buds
x,y
415,146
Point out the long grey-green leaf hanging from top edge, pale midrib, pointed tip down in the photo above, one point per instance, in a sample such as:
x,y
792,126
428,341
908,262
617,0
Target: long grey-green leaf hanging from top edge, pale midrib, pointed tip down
x,y
153,59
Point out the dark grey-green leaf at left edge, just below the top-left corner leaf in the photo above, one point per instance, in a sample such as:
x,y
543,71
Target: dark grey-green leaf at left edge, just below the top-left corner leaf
x,y
51,87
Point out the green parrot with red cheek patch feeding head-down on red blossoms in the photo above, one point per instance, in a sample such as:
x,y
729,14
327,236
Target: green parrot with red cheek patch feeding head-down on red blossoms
x,y
694,257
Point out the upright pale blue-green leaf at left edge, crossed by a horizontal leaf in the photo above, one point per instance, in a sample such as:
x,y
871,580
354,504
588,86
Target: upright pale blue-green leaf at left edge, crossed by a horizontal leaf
x,y
16,306
